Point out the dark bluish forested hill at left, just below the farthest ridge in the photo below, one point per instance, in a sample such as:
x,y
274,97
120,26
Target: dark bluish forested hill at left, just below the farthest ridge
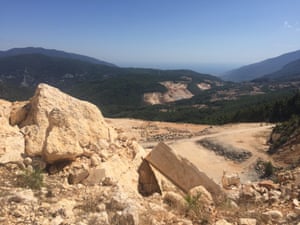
x,y
28,70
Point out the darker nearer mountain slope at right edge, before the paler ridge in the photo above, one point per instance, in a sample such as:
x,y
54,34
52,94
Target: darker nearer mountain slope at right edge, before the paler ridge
x,y
290,72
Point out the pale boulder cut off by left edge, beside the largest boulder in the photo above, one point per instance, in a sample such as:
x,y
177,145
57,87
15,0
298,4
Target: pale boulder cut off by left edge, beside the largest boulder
x,y
12,141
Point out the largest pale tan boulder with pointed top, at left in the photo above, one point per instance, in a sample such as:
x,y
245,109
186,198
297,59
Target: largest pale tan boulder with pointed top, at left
x,y
59,127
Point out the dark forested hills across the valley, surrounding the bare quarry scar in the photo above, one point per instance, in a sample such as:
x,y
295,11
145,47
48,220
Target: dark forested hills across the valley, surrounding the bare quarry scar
x,y
119,92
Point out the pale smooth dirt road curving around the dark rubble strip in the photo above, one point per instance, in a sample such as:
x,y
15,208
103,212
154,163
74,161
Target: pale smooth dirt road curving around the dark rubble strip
x,y
252,138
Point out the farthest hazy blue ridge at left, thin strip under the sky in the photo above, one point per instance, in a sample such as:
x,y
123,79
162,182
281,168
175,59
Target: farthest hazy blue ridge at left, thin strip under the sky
x,y
52,53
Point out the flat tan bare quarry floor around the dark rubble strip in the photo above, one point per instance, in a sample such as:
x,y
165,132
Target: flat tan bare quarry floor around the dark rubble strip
x,y
184,138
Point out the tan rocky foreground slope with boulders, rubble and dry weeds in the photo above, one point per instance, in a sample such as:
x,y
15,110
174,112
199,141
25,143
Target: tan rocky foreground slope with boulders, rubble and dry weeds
x,y
60,163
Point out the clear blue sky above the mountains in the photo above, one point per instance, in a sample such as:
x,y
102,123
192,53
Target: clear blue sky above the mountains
x,y
204,35
